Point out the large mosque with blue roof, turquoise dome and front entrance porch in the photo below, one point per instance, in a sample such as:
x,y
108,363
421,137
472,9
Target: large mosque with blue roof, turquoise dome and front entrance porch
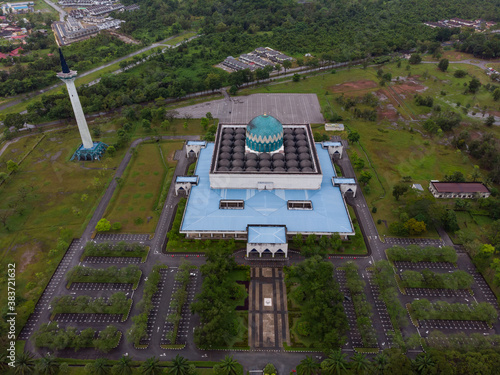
x,y
264,182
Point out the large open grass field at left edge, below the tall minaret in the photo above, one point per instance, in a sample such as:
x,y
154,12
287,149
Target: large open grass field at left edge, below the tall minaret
x,y
53,207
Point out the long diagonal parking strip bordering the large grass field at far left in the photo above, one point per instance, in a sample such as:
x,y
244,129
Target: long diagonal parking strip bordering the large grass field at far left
x,y
48,293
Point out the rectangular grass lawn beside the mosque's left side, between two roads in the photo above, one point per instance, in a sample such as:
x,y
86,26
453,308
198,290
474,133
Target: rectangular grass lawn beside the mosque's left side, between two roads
x,y
134,204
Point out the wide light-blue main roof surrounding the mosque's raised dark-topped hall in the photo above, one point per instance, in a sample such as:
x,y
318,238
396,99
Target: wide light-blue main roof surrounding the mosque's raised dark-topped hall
x,y
329,212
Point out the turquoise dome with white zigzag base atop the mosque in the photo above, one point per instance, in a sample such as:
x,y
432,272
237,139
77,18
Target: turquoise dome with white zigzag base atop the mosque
x,y
264,134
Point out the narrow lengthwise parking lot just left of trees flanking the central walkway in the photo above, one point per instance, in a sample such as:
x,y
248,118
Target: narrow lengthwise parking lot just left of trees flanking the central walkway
x,y
185,323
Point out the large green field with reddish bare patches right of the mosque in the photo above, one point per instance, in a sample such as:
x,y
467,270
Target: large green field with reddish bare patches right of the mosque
x,y
398,147
